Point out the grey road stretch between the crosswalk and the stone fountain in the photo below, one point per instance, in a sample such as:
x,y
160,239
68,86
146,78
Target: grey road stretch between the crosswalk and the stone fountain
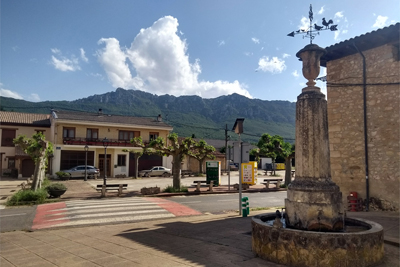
x,y
230,202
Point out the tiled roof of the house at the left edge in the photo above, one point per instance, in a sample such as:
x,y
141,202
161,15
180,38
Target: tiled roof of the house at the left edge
x,y
28,119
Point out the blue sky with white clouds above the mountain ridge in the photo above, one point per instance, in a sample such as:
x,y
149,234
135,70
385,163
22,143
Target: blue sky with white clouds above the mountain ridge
x,y
67,50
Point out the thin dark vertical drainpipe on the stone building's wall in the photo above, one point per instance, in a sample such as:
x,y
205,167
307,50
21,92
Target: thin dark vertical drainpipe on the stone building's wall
x,y
365,125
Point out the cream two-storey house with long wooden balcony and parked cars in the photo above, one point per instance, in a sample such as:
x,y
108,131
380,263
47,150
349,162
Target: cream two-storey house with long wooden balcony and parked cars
x,y
72,131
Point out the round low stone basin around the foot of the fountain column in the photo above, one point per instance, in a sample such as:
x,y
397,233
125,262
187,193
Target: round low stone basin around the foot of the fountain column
x,y
294,247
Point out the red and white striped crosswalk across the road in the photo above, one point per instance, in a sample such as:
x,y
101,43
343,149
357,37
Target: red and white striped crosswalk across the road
x,y
106,211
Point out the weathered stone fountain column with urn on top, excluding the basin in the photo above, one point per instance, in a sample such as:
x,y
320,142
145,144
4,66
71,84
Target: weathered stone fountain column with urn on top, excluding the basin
x,y
314,201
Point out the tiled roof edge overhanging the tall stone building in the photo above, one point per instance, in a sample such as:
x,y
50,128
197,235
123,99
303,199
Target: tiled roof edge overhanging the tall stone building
x,y
363,42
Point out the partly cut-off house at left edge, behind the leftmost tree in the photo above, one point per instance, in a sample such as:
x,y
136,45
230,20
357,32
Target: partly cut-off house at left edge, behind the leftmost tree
x,y
13,161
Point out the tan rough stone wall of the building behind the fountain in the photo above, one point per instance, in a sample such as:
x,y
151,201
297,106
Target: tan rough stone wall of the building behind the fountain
x,y
346,124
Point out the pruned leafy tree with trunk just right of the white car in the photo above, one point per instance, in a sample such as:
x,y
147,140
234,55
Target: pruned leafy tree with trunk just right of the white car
x,y
178,149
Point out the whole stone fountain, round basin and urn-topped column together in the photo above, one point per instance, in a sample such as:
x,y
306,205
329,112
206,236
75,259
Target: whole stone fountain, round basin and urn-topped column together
x,y
316,226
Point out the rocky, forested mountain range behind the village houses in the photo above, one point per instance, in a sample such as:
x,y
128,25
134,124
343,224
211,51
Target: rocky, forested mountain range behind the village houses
x,y
189,115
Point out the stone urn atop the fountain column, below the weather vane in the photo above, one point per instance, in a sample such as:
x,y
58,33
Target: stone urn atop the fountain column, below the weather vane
x,y
311,55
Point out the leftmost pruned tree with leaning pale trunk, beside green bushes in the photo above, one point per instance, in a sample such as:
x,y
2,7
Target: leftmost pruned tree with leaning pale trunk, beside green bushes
x,y
39,150
